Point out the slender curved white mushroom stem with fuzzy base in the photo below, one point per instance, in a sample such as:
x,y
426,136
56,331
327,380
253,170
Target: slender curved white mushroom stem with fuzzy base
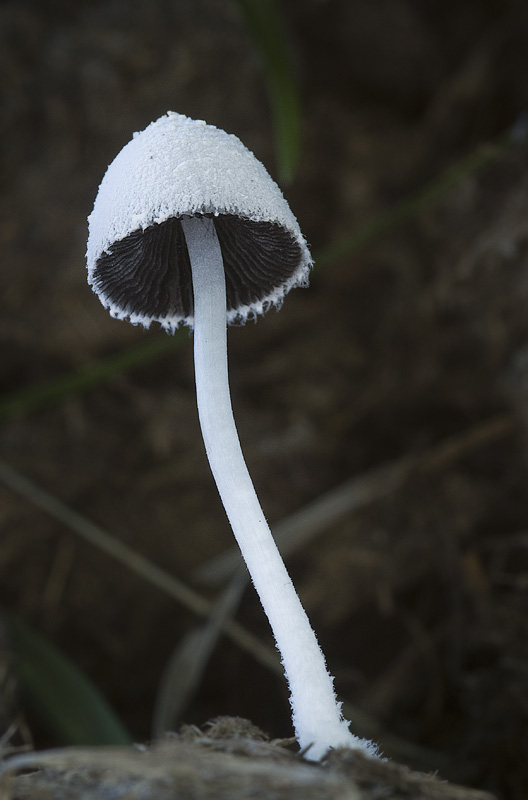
x,y
316,713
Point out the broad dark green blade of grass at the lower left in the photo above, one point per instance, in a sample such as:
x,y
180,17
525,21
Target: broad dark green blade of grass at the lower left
x,y
61,696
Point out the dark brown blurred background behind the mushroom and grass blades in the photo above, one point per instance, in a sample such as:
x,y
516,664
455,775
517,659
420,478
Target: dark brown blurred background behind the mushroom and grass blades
x,y
419,598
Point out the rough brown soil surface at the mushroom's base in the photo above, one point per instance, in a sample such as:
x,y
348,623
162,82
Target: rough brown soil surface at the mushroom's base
x,y
229,758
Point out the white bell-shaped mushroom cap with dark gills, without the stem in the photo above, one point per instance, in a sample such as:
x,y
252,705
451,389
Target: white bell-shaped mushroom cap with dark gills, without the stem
x,y
137,258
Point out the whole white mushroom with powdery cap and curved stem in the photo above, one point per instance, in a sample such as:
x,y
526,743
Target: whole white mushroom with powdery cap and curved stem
x,y
189,228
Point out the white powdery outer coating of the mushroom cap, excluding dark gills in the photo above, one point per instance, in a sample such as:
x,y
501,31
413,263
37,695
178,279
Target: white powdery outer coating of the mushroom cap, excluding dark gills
x,y
179,166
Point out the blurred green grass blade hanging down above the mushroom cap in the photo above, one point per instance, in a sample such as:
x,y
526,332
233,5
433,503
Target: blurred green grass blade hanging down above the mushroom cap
x,y
266,28
